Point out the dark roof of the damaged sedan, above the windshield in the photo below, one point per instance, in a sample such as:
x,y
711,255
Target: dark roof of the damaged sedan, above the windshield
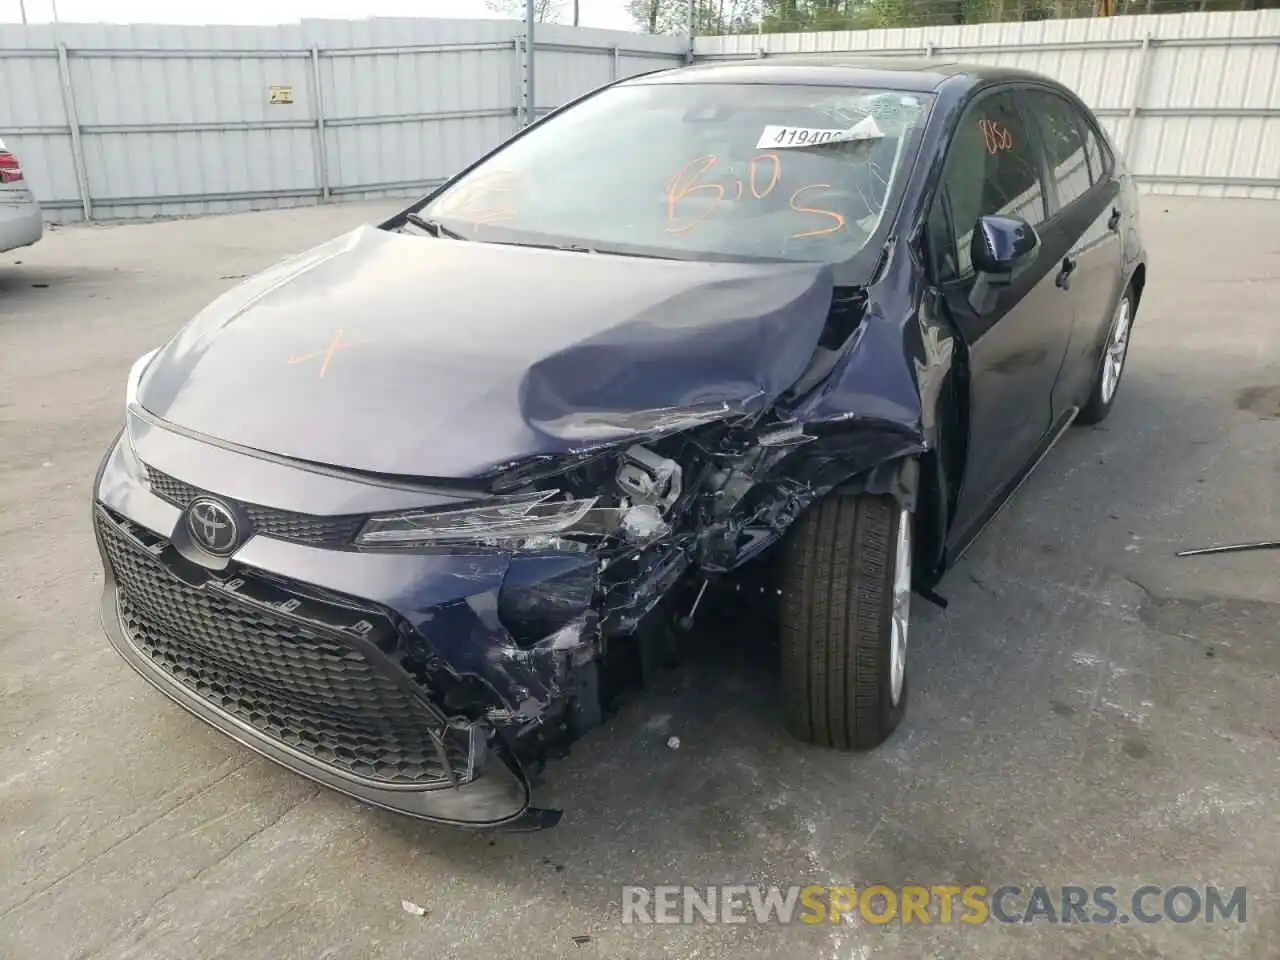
x,y
918,75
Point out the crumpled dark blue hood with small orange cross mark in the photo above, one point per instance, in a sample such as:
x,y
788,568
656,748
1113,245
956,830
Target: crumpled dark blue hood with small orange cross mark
x,y
409,355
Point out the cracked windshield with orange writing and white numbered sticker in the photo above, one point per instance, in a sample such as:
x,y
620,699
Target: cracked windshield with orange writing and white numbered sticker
x,y
799,173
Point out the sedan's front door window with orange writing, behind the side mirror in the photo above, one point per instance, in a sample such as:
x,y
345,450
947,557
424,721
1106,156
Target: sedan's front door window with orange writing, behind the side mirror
x,y
991,170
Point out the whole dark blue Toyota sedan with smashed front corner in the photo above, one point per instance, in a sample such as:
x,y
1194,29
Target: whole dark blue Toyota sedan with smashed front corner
x,y
405,513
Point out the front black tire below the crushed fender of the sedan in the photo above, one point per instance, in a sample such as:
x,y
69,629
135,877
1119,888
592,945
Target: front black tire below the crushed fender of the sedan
x,y
836,623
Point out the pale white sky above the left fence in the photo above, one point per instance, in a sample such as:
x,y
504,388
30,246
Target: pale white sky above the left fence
x,y
609,15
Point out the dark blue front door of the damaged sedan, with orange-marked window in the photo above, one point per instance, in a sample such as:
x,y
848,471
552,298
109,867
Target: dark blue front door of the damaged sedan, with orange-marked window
x,y
1018,345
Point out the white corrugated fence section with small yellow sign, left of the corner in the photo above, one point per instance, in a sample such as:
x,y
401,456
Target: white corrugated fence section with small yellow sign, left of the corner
x,y
157,121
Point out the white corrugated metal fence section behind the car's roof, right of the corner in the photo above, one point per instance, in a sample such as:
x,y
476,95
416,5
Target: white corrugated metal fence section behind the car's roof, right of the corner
x,y
1192,99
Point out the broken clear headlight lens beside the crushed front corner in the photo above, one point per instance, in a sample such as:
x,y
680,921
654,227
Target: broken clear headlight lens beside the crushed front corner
x,y
509,523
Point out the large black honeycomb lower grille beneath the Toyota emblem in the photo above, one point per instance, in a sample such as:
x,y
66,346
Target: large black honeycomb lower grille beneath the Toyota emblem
x,y
294,684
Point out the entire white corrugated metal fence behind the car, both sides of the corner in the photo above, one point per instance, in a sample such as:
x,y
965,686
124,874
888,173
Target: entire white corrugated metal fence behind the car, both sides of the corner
x,y
153,121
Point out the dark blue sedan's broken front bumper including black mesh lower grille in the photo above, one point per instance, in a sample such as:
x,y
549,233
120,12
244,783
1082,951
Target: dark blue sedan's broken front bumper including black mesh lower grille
x,y
331,662
